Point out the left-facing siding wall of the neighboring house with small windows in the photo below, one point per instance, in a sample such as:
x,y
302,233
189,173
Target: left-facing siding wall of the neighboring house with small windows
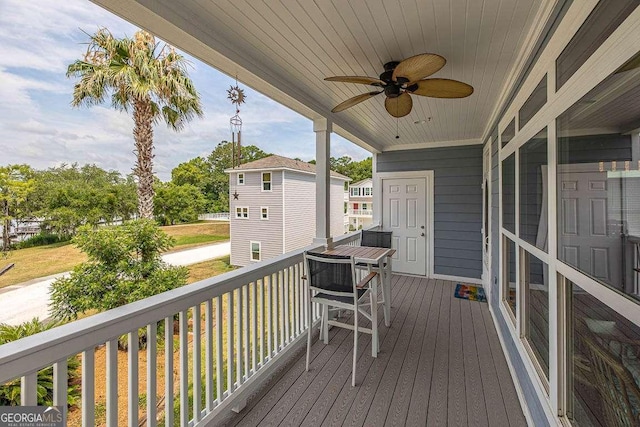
x,y
243,231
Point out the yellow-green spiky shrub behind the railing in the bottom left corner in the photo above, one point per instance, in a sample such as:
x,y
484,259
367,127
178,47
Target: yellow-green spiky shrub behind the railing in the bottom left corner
x,y
10,392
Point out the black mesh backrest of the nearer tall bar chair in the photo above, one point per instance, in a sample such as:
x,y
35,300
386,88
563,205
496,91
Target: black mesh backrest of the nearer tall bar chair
x,y
332,274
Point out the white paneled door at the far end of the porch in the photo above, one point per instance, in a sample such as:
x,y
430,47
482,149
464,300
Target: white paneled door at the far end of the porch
x,y
404,214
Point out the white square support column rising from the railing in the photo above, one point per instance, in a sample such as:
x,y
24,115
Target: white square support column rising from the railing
x,y
322,128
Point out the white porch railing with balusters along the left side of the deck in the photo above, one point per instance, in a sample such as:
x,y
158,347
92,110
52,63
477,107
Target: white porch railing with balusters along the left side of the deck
x,y
248,319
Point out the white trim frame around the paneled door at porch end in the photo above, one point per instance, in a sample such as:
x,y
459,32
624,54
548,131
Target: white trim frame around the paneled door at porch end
x,y
428,175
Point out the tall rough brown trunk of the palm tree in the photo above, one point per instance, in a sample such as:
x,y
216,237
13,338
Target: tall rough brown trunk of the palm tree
x,y
143,136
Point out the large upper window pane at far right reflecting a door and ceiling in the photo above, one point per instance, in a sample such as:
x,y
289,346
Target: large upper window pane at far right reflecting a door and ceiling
x,y
598,181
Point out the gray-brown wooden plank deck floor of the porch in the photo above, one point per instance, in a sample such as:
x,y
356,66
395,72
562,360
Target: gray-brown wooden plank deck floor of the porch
x,y
440,363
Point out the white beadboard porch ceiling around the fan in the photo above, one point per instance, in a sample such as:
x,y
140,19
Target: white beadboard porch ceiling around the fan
x,y
286,48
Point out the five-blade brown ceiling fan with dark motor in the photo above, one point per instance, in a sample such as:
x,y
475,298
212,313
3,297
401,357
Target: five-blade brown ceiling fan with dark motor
x,y
402,79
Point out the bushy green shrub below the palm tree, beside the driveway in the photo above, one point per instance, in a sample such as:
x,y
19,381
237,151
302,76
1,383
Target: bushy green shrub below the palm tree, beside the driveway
x,y
124,266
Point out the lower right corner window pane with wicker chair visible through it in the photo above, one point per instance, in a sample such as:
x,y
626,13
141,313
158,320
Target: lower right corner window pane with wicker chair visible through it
x,y
605,362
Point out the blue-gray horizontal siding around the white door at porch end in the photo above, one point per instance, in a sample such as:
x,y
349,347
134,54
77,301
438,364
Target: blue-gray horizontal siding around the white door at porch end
x,y
457,203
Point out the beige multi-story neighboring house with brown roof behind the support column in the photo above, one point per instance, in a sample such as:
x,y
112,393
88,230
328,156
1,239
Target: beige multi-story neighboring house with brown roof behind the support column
x,y
272,205
